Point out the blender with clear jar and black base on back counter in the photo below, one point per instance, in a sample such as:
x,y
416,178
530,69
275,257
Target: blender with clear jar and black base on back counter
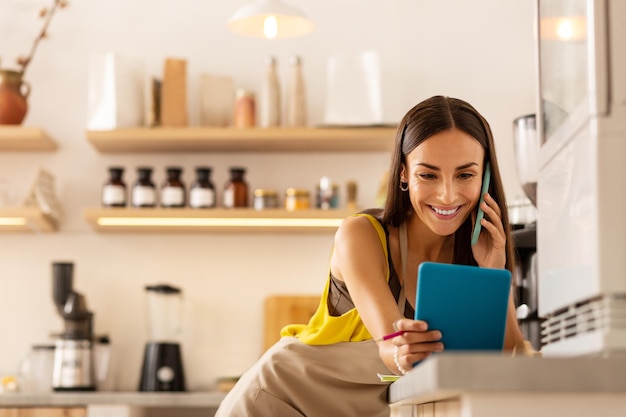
x,y
162,368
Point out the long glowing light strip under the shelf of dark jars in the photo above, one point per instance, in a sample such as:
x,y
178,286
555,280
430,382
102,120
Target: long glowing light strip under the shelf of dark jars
x,y
221,222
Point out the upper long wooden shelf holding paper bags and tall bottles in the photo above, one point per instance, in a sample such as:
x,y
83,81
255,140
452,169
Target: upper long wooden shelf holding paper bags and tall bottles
x,y
162,139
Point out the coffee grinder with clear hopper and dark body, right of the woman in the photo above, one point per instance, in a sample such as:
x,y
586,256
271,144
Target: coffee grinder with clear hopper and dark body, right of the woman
x,y
526,146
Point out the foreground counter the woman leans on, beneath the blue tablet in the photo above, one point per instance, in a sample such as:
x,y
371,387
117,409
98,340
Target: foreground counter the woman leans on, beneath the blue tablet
x,y
489,385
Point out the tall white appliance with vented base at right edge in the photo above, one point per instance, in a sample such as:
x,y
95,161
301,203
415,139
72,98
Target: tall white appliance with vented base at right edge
x,y
581,192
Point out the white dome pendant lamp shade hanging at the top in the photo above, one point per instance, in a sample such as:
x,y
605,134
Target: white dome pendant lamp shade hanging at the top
x,y
270,19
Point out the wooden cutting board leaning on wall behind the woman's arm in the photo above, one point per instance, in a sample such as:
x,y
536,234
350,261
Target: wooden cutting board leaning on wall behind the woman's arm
x,y
281,310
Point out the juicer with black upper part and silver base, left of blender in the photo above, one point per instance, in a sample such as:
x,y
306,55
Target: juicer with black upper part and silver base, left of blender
x,y
73,368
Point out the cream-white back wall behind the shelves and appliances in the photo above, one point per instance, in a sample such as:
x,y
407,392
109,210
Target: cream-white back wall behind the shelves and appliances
x,y
481,51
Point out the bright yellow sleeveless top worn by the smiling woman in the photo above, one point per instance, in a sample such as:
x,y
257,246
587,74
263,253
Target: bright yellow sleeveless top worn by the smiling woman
x,y
324,329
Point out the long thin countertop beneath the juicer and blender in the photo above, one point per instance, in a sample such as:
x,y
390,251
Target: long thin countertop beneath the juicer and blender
x,y
138,399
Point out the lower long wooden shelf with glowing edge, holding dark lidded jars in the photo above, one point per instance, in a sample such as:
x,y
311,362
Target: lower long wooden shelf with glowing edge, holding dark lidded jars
x,y
186,220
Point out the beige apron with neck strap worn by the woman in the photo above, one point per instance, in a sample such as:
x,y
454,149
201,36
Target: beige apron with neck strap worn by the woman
x,y
294,379
